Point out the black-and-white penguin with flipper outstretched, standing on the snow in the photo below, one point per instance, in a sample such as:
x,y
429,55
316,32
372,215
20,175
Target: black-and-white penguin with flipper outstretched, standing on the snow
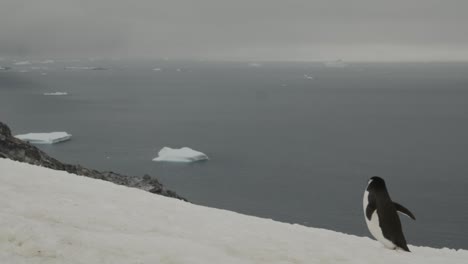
x,y
381,215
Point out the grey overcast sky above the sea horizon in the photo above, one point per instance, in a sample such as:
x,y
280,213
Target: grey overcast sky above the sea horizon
x,y
236,29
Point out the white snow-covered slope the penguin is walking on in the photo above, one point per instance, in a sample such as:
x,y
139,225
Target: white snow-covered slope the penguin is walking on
x,y
49,216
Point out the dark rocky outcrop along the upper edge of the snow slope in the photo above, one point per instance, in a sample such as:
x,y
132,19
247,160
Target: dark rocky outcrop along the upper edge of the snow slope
x,y
15,149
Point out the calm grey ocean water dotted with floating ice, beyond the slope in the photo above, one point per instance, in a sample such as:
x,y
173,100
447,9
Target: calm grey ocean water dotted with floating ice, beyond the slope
x,y
281,145
